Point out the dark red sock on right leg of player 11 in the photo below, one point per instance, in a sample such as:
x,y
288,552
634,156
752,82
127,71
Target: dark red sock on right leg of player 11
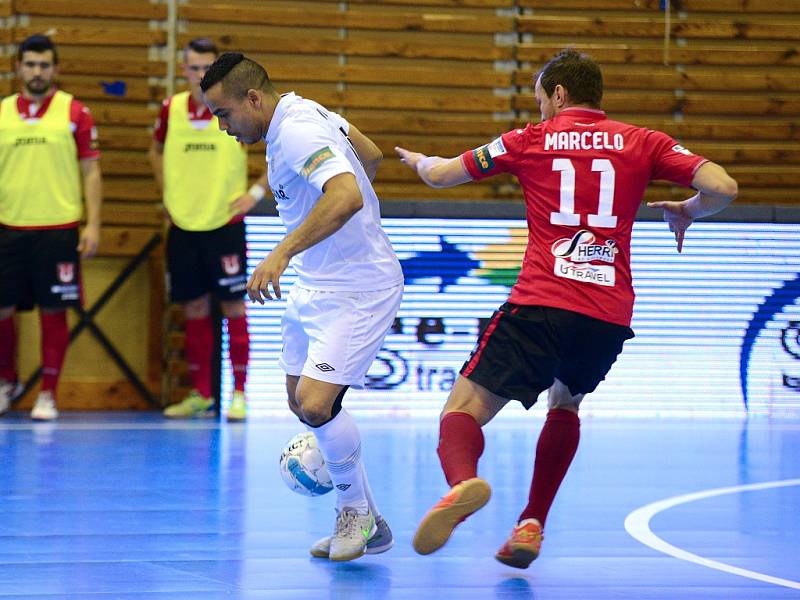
x,y
555,450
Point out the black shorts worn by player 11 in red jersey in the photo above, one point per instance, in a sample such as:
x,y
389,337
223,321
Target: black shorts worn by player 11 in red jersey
x,y
523,349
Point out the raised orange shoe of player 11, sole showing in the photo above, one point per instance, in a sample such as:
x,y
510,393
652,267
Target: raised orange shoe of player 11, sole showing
x,y
461,501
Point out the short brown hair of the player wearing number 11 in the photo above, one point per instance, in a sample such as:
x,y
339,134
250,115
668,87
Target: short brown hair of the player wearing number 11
x,y
578,73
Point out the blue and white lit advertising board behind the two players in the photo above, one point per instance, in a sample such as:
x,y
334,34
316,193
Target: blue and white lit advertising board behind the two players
x,y
717,327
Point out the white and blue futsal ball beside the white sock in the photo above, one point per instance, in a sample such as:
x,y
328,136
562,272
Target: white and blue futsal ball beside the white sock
x,y
303,467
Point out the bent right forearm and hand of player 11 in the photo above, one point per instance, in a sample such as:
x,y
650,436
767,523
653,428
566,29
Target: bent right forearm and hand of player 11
x,y
715,191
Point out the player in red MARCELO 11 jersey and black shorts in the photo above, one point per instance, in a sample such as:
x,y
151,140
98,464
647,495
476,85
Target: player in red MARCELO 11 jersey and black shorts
x,y
583,176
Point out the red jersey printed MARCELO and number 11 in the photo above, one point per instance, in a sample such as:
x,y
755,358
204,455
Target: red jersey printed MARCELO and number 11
x,y
583,177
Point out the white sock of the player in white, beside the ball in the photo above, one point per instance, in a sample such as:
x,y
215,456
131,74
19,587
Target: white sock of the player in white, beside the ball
x,y
340,444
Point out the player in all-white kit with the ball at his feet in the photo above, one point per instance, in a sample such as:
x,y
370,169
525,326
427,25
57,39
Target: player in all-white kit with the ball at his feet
x,y
349,281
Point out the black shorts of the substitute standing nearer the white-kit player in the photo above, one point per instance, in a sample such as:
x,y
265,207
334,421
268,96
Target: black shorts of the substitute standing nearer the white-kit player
x,y
207,261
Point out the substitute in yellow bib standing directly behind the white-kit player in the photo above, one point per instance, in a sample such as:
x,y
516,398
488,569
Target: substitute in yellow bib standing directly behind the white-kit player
x,y
203,174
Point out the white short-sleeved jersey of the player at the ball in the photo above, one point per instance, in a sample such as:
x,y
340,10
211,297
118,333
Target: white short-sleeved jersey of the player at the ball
x,y
306,146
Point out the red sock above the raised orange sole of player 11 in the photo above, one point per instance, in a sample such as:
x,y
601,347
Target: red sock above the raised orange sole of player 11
x,y
460,447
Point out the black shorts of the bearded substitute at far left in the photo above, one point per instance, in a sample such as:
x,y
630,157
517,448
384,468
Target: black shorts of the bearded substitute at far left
x,y
39,266
